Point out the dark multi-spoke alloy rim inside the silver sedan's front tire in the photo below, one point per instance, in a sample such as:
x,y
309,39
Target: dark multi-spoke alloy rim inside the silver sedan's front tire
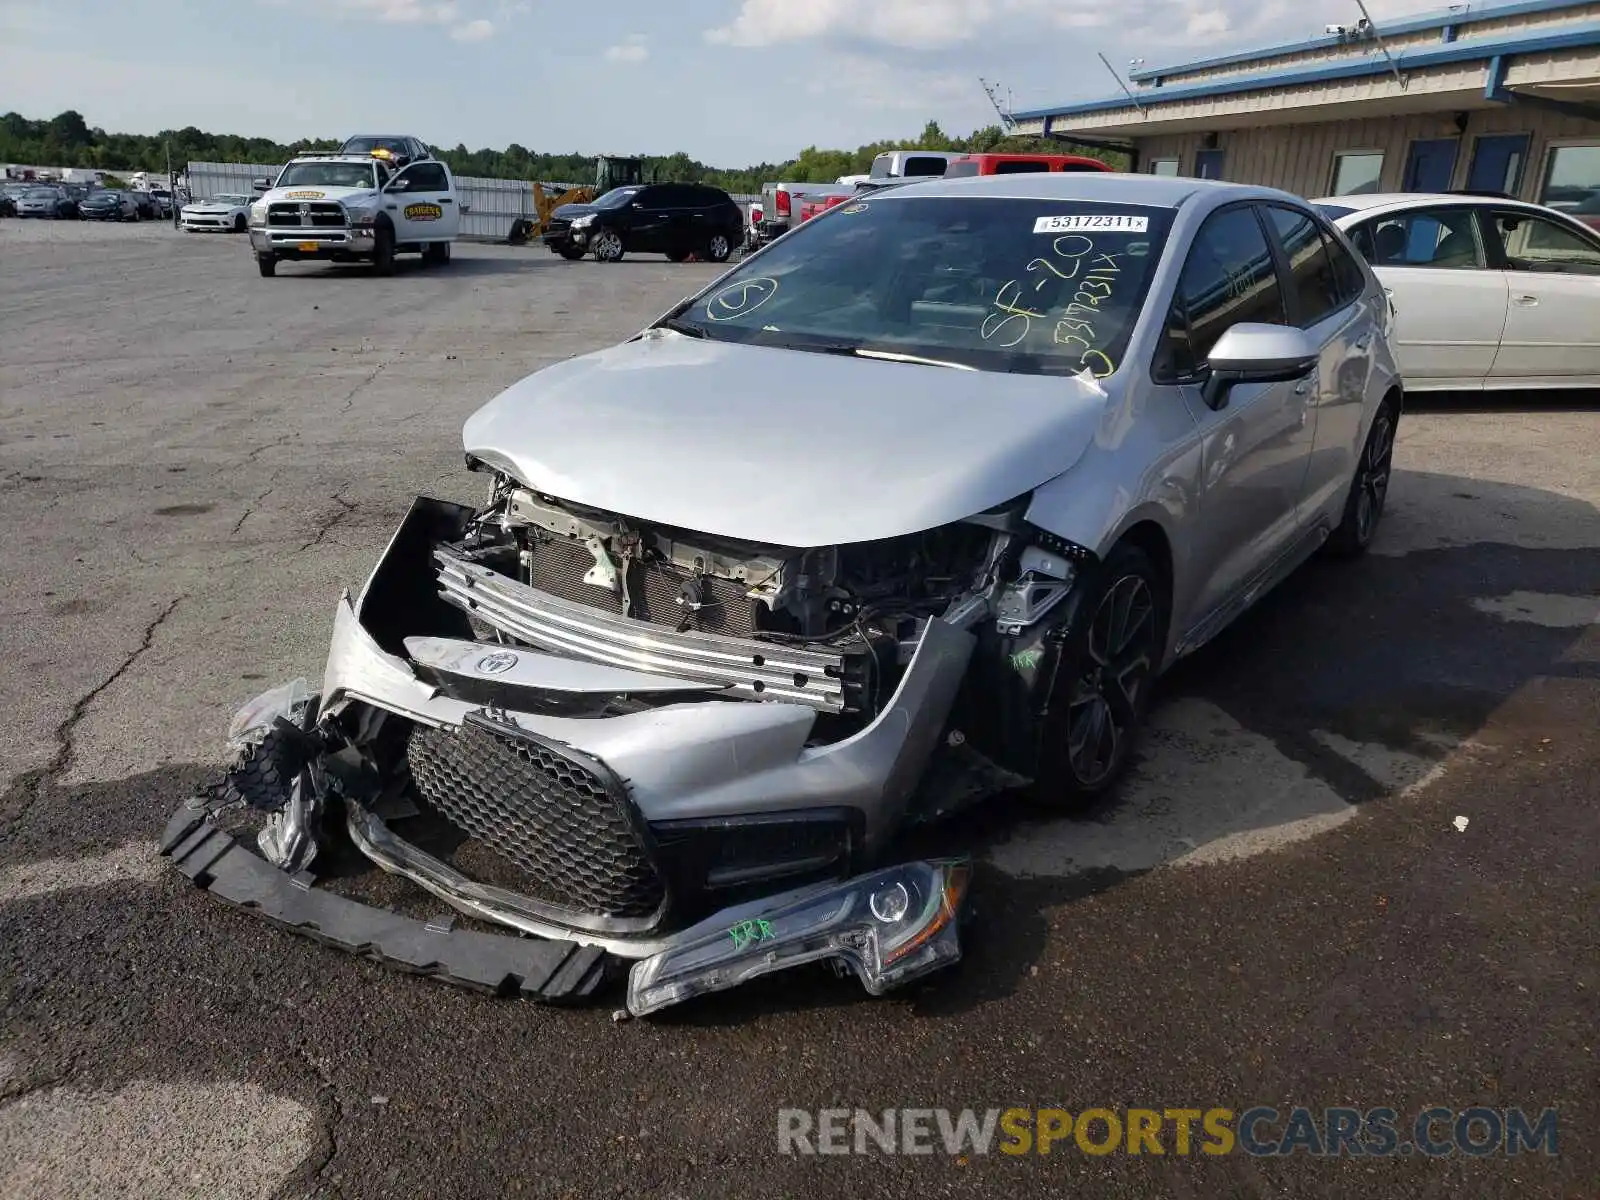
x,y
1118,666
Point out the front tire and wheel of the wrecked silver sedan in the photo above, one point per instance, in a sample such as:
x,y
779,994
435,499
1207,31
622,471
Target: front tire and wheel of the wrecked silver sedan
x,y
1105,681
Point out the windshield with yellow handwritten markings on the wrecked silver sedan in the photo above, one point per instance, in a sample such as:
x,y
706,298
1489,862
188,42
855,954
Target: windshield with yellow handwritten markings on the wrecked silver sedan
x,y
1036,287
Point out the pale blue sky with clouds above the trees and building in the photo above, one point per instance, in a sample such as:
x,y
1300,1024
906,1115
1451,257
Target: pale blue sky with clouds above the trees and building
x,y
732,82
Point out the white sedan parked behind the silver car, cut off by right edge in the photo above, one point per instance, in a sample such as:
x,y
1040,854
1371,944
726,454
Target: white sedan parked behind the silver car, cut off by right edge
x,y
1489,294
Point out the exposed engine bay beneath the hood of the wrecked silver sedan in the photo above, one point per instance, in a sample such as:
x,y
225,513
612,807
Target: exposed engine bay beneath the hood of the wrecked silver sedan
x,y
854,610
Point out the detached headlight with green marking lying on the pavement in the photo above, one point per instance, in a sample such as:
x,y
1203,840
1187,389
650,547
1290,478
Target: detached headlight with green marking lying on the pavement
x,y
889,927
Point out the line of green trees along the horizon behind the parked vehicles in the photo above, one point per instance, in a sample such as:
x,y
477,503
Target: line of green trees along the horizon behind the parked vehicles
x,y
70,142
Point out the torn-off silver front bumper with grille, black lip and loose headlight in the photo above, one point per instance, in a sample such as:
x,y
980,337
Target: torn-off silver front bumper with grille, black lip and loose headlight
x,y
639,834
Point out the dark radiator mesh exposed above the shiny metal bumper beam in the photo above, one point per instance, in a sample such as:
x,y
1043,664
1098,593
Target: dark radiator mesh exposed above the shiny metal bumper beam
x,y
559,569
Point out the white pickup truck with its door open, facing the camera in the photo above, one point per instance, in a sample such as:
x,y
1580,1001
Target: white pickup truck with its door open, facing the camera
x,y
354,207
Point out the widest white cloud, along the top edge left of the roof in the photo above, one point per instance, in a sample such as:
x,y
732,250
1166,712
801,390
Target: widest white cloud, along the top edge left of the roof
x,y
938,25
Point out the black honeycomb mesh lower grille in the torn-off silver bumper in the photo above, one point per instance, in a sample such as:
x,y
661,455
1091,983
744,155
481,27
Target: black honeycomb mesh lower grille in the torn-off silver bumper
x,y
564,822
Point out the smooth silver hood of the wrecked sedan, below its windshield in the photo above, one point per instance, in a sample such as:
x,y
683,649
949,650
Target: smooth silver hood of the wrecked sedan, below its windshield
x,y
783,447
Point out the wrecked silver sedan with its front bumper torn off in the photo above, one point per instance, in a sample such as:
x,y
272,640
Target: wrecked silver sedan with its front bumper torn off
x,y
913,506
